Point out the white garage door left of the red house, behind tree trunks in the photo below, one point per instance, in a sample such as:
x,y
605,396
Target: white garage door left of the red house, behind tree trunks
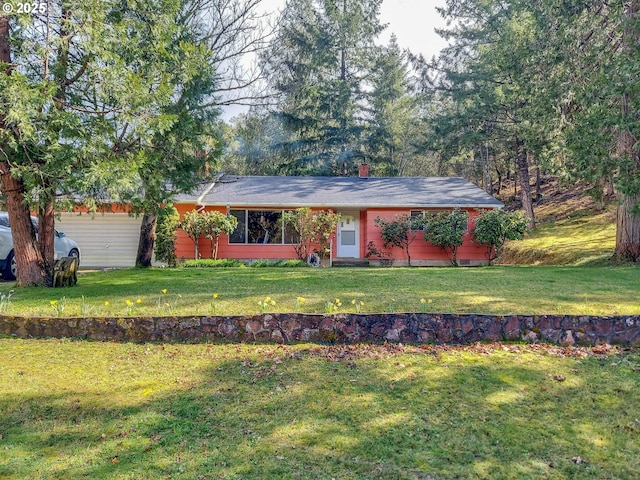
x,y
106,240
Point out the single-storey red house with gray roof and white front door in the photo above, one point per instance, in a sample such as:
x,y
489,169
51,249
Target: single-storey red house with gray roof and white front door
x,y
258,202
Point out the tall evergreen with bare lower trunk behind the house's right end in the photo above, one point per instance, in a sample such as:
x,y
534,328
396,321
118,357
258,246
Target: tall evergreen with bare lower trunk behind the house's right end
x,y
487,75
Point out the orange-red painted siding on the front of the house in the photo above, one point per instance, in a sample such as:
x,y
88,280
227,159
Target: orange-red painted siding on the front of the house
x,y
422,253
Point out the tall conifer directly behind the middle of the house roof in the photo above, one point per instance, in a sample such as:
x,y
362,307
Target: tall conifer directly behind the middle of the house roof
x,y
318,67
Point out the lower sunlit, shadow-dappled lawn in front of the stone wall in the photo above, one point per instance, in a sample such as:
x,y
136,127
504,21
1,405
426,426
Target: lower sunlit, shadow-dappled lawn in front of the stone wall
x,y
128,411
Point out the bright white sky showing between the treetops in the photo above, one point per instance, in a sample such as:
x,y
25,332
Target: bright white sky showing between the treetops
x,y
412,21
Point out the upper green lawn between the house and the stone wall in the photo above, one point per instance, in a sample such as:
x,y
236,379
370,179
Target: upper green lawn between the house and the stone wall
x,y
492,290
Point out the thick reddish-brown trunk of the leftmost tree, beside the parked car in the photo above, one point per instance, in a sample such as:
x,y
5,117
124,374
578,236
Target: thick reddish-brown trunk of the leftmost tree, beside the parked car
x,y
27,254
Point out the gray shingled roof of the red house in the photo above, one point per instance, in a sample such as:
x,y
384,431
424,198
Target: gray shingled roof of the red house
x,y
342,192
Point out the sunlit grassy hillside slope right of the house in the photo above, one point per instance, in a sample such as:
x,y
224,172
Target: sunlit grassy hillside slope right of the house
x,y
572,228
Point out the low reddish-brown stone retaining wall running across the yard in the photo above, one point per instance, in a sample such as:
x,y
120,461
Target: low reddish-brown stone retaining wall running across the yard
x,y
412,328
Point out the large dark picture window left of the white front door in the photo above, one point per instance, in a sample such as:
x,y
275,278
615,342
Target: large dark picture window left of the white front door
x,y
262,226
